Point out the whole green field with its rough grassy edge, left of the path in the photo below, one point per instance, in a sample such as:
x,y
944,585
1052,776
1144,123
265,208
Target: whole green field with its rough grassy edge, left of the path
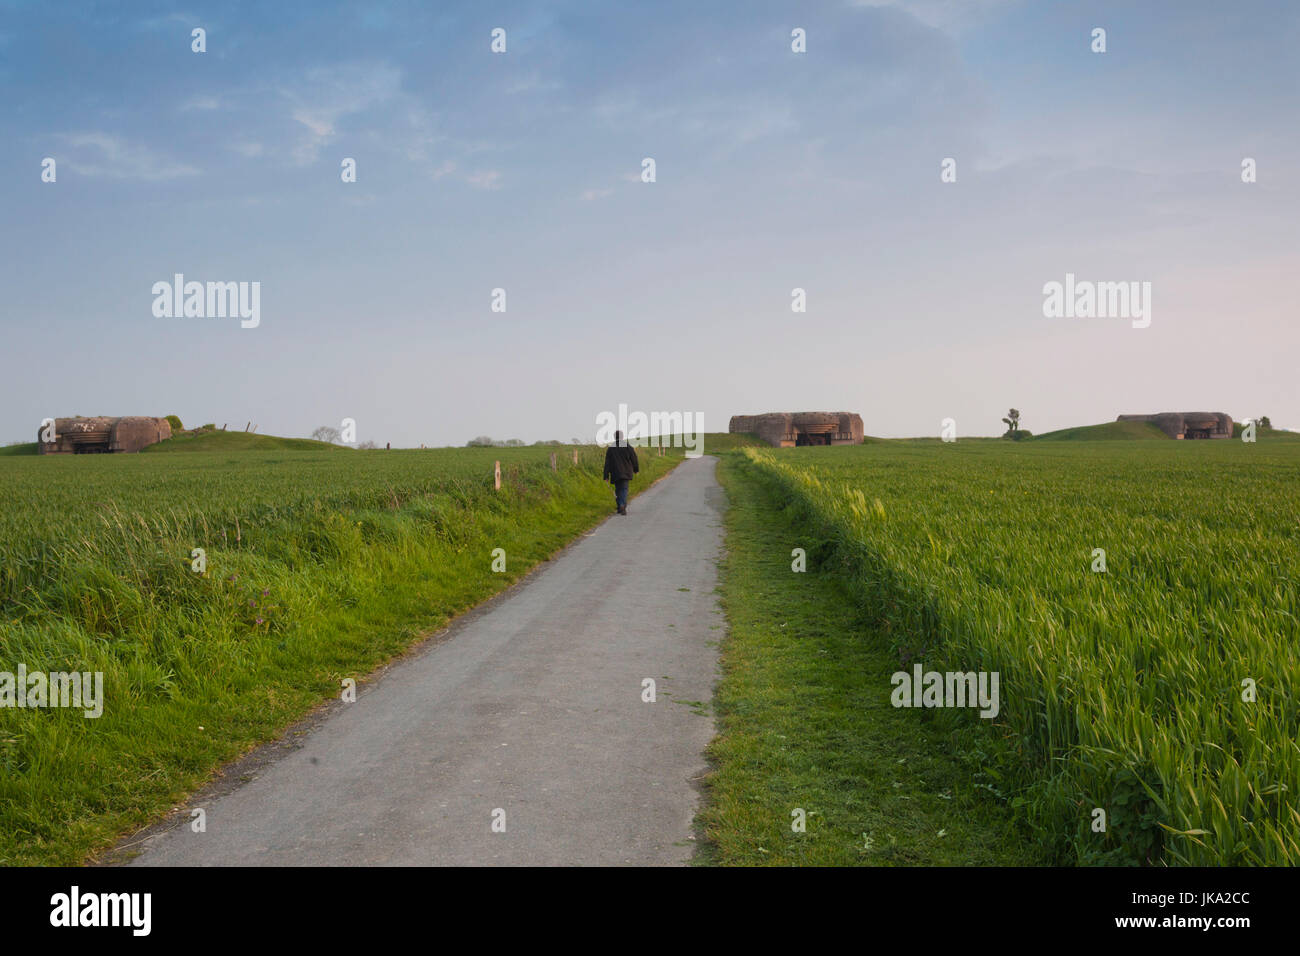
x,y
320,566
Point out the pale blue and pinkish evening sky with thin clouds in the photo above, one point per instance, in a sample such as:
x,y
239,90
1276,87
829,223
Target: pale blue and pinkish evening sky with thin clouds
x,y
523,171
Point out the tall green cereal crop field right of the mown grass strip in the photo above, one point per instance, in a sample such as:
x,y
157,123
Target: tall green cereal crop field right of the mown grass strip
x,y
1163,691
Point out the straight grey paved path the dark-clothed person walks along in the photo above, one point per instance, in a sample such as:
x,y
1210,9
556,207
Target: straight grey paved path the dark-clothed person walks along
x,y
523,738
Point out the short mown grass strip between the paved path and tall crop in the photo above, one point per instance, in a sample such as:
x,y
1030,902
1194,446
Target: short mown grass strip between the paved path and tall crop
x,y
805,723
